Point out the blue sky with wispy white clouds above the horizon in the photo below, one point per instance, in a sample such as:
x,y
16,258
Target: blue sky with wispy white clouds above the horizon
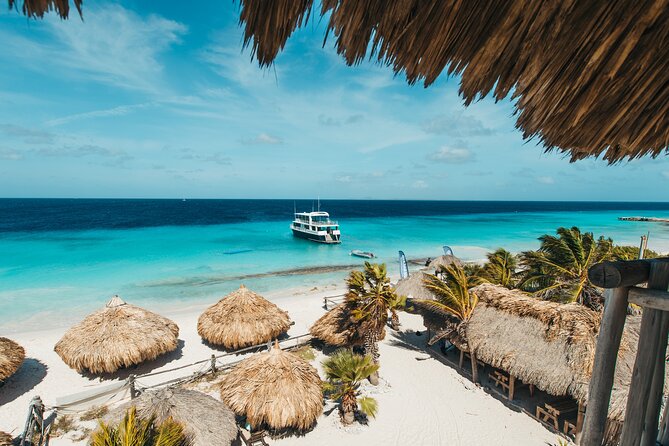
x,y
157,99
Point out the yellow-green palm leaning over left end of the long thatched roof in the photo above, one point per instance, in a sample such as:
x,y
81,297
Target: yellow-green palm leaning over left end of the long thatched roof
x,y
452,292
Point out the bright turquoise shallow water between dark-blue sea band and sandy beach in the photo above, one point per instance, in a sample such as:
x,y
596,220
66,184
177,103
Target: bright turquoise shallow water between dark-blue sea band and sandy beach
x,y
51,278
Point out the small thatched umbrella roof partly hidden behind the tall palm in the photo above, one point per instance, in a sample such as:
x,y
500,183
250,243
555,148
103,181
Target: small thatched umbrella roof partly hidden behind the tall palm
x,y
338,329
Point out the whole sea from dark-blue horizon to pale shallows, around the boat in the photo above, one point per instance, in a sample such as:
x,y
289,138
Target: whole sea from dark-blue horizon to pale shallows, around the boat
x,y
62,258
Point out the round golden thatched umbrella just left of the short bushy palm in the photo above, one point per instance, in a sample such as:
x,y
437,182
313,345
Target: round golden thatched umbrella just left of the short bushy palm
x,y
274,389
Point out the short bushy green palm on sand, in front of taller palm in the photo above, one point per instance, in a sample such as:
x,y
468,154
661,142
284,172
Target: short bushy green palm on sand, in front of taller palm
x,y
344,371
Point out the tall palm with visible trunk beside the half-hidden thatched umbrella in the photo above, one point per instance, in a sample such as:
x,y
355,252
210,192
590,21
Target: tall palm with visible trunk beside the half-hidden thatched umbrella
x,y
369,299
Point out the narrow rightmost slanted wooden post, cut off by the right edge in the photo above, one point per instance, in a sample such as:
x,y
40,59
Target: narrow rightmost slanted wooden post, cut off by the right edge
x,y
654,403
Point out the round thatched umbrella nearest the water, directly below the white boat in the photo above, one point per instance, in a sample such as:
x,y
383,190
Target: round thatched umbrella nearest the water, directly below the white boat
x,y
241,319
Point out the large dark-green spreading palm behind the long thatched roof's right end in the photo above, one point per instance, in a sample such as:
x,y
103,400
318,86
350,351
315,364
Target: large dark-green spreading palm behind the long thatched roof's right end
x,y
559,269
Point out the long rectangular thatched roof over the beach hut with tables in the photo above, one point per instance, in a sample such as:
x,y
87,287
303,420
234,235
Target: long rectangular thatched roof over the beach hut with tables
x,y
544,343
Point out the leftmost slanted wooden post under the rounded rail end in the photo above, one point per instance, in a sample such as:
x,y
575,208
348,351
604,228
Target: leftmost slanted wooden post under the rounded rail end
x,y
606,355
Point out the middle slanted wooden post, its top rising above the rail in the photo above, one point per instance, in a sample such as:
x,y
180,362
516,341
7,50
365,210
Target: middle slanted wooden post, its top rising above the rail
x,y
650,334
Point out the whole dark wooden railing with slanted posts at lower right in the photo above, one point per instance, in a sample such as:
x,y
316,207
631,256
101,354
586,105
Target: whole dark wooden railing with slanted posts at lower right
x,y
642,414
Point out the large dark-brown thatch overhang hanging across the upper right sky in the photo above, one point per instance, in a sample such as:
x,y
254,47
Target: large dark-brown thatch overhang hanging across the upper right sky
x,y
590,78
